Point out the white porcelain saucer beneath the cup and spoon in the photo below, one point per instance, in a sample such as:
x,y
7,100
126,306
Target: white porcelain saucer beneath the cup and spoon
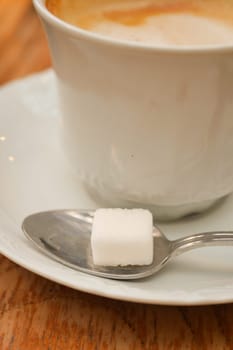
x,y
34,176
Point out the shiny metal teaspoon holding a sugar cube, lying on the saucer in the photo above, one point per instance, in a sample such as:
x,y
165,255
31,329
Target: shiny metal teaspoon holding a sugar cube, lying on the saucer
x,y
65,235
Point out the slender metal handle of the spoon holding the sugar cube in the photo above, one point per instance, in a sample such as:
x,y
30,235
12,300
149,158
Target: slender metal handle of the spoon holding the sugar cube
x,y
182,245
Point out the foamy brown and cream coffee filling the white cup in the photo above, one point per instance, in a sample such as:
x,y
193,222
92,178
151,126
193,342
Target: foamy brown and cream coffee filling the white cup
x,y
157,22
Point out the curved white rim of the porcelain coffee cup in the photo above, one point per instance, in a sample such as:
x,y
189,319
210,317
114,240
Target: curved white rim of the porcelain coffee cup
x,y
78,32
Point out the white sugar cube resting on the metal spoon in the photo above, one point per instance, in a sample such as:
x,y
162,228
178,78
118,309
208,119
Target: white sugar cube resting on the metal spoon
x,y
122,237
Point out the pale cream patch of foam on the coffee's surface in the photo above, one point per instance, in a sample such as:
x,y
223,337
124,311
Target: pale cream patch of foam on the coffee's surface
x,y
183,29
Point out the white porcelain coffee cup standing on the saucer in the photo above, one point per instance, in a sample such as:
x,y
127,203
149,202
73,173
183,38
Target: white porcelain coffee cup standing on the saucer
x,y
145,126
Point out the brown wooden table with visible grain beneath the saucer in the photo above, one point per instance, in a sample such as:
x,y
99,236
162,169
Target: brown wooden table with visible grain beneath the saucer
x,y
38,314
